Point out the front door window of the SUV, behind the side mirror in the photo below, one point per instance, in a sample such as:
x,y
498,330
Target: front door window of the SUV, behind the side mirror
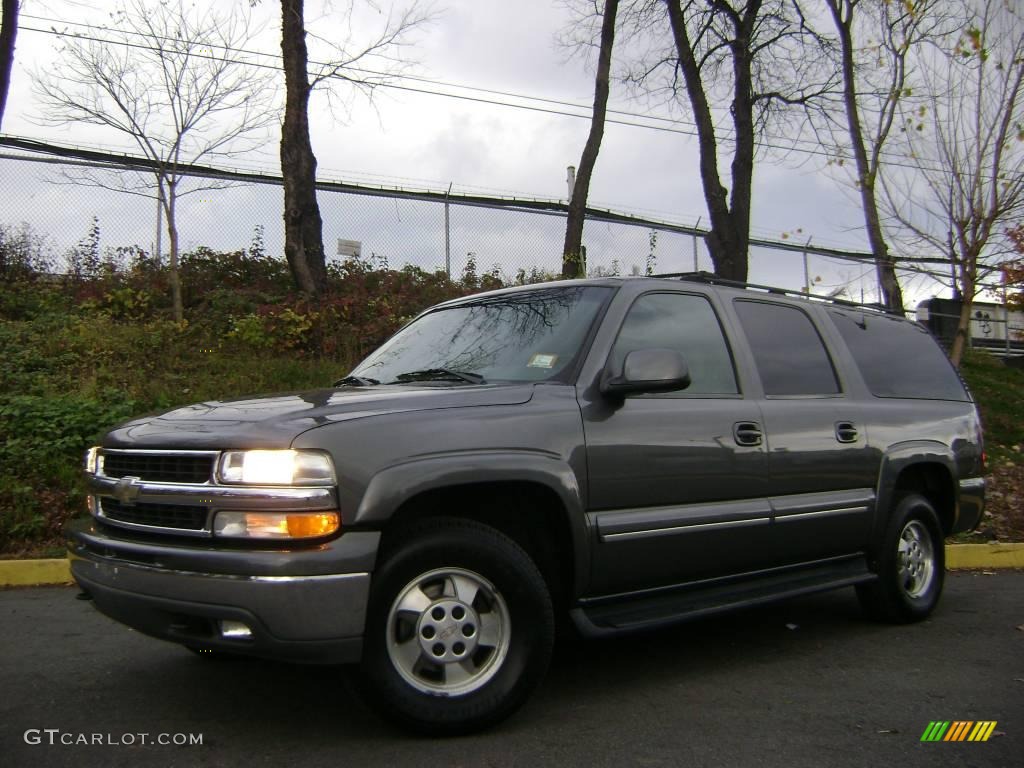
x,y
685,323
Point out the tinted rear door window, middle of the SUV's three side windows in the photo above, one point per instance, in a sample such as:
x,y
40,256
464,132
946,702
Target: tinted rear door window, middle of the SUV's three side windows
x,y
788,351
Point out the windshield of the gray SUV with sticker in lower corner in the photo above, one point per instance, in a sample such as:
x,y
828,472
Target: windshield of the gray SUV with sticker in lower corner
x,y
528,336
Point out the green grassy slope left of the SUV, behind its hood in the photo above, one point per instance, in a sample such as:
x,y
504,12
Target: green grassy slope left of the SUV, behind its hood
x,y
67,378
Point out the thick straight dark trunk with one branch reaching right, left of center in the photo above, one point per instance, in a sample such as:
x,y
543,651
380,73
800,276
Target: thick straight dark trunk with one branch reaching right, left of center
x,y
363,66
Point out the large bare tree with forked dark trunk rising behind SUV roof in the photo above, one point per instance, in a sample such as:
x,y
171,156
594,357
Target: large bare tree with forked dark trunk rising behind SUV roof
x,y
743,69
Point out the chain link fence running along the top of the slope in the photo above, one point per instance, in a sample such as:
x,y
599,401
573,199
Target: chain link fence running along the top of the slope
x,y
59,196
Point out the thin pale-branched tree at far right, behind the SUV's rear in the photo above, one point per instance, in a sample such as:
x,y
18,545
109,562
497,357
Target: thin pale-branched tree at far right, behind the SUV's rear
x,y
967,148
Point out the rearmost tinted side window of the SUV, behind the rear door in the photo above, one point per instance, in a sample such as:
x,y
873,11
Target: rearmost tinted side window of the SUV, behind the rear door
x,y
899,359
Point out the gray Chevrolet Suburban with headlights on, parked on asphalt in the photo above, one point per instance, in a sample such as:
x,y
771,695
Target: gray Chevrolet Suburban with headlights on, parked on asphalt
x,y
626,453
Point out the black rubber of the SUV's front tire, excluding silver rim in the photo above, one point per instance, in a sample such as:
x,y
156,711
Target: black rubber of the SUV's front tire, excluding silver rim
x,y
487,552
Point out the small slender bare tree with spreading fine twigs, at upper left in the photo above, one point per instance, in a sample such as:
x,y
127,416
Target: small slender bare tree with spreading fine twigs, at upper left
x,y
172,82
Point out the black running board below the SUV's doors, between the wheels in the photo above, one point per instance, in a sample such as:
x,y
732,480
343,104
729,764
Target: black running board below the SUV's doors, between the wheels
x,y
647,611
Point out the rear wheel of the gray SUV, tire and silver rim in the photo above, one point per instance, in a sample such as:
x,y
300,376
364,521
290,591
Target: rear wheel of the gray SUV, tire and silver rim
x,y
911,564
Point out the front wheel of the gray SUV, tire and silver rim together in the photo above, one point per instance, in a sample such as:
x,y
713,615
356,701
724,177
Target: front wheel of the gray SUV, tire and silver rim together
x,y
459,630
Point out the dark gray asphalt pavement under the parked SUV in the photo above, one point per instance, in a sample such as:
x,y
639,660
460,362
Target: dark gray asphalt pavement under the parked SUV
x,y
809,682
